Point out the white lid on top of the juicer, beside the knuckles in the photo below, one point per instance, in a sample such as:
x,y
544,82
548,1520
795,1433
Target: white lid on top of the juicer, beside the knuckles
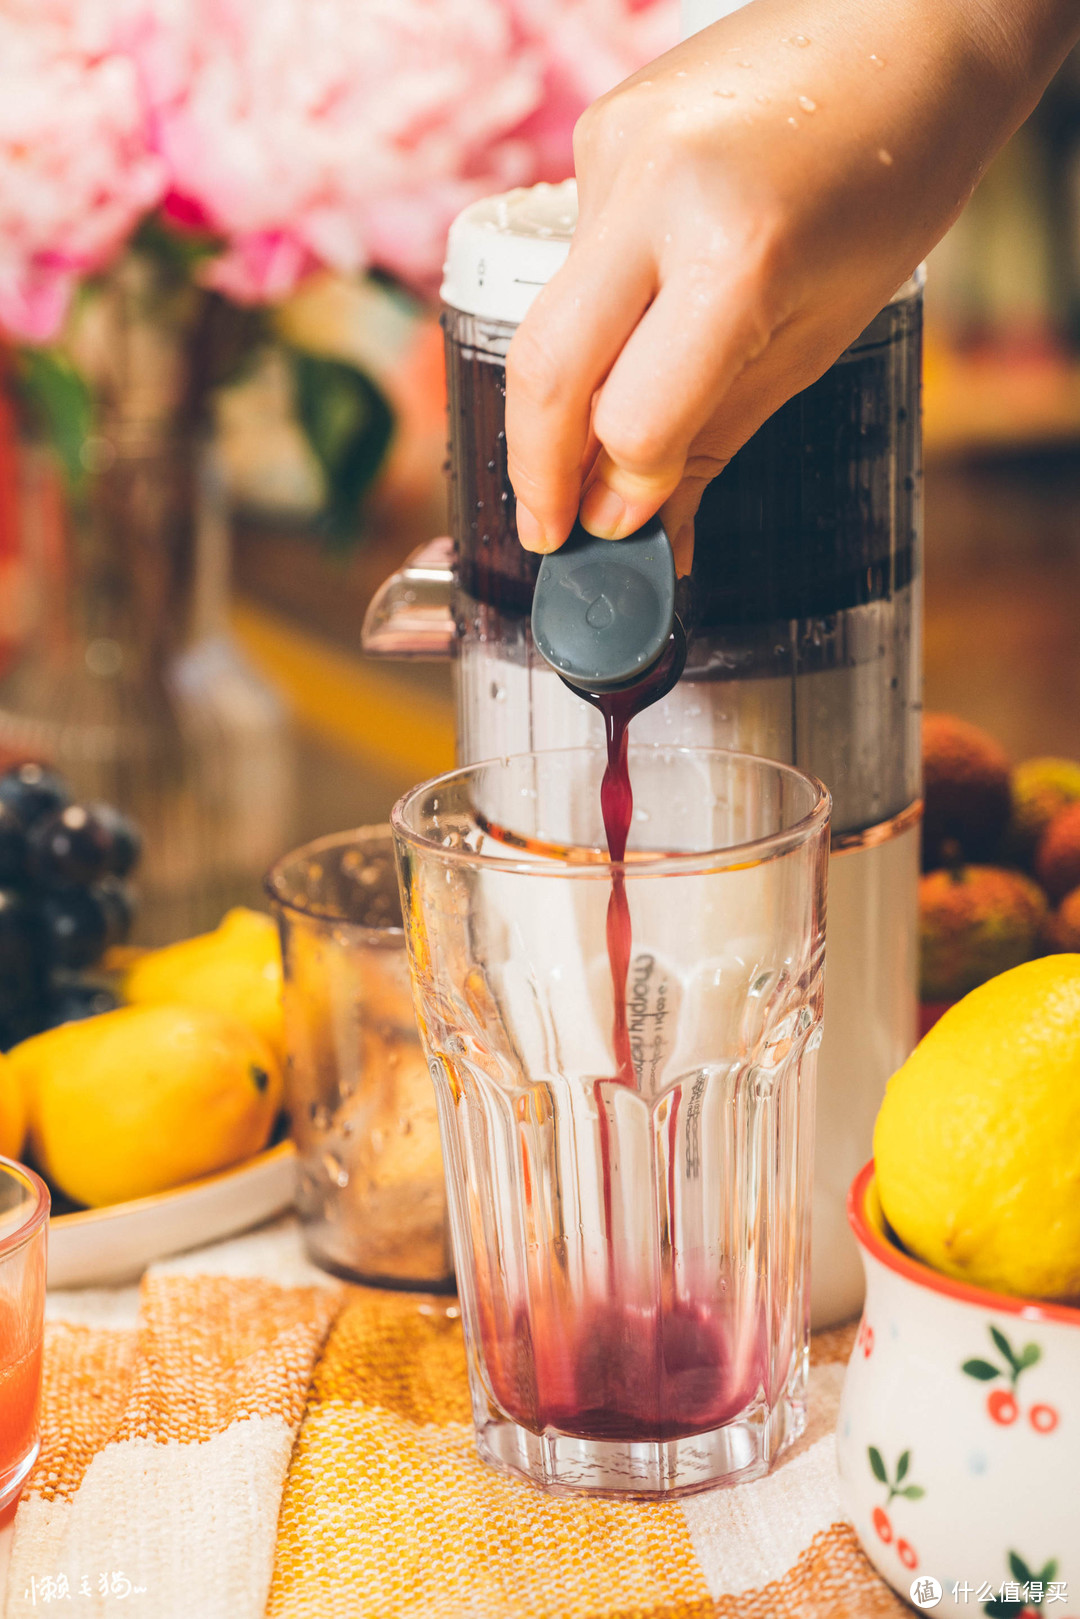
x,y
503,250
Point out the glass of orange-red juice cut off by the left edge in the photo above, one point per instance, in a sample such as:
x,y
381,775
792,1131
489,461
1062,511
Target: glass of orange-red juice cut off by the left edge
x,y
23,1238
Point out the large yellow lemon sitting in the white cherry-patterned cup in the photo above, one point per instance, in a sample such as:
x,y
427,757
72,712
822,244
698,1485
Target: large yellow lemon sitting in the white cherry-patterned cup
x,y
977,1144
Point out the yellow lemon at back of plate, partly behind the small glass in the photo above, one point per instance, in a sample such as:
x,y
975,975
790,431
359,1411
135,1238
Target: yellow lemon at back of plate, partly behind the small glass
x,y
237,969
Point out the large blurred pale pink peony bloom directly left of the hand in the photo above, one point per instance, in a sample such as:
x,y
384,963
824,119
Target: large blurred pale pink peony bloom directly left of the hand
x,y
351,132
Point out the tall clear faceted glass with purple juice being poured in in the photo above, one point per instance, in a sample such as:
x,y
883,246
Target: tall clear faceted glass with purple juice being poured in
x,y
631,1236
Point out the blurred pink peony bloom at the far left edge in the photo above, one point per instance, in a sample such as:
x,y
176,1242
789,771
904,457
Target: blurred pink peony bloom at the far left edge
x,y
77,171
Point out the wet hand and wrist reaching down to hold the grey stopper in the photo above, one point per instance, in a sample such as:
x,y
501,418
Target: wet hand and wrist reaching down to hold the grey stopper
x,y
747,205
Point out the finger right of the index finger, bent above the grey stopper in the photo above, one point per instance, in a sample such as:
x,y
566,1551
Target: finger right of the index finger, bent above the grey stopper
x,y
702,331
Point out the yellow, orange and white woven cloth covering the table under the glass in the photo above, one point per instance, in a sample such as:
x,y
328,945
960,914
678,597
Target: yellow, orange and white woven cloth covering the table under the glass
x,y
240,1438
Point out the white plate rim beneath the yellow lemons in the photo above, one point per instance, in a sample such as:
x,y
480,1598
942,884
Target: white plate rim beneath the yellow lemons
x,y
113,1246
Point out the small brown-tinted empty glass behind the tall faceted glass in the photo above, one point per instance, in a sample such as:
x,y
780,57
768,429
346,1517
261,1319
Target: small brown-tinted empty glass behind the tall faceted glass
x,y
370,1192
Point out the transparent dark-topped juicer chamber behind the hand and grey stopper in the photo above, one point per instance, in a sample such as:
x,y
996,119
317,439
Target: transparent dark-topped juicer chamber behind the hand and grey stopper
x,y
802,624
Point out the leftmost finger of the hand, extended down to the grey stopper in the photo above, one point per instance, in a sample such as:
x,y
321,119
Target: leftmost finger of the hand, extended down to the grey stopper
x,y
558,360
